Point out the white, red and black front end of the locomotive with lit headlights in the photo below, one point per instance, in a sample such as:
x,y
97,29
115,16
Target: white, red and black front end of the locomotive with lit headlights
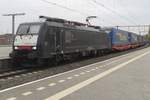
x,y
25,44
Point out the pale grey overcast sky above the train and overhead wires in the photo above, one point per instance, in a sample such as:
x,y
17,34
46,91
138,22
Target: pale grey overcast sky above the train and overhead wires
x,y
136,11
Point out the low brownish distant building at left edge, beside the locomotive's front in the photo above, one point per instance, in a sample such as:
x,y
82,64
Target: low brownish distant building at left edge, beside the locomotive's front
x,y
6,39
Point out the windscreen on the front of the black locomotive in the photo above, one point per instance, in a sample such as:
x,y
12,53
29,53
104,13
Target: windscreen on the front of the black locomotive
x,y
28,29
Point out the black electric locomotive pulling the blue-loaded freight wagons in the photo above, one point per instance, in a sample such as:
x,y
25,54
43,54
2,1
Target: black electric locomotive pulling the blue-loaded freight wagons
x,y
57,39
